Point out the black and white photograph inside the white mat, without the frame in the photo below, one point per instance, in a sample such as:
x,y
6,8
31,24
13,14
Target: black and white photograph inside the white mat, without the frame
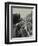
x,y
21,22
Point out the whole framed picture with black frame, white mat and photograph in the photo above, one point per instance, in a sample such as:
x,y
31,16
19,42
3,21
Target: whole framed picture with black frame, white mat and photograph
x,y
20,22
